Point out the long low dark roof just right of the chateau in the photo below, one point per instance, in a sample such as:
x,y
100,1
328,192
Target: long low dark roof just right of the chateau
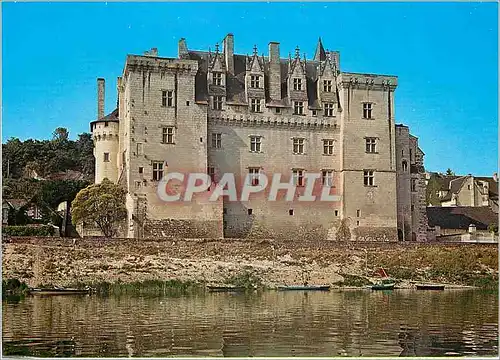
x,y
460,217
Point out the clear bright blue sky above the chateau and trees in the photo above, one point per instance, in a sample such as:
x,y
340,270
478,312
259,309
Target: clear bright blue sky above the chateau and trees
x,y
445,55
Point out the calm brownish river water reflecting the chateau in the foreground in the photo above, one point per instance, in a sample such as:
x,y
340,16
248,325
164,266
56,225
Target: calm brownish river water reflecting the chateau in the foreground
x,y
271,323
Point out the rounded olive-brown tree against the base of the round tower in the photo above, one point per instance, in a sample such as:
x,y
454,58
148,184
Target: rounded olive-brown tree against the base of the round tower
x,y
102,204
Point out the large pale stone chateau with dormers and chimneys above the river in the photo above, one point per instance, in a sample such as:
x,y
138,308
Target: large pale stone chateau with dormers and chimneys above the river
x,y
218,112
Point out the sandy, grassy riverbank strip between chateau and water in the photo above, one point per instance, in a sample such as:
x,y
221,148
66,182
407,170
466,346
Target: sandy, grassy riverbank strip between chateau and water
x,y
265,263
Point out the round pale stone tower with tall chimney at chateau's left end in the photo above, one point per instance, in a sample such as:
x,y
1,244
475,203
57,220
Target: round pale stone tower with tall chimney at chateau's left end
x,y
105,132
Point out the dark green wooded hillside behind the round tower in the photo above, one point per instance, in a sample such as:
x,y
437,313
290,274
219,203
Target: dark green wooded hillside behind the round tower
x,y
48,156
